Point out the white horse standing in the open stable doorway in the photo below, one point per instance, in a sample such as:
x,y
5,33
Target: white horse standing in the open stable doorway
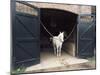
x,y
57,43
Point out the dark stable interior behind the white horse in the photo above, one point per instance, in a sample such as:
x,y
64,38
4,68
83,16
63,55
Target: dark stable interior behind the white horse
x,y
56,21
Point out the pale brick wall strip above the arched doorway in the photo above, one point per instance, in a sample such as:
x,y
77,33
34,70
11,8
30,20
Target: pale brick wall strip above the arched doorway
x,y
78,9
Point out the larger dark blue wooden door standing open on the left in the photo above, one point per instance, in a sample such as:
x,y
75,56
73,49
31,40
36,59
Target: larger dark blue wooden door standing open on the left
x,y
25,34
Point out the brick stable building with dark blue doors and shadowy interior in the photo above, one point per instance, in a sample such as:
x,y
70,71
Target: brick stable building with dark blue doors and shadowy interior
x,y
30,38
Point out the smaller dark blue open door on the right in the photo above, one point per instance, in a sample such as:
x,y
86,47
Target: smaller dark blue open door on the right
x,y
86,35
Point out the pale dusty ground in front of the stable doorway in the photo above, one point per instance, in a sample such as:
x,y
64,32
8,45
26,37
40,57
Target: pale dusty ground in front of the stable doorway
x,y
50,63
